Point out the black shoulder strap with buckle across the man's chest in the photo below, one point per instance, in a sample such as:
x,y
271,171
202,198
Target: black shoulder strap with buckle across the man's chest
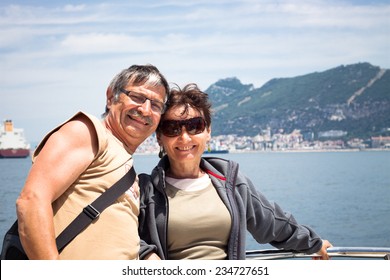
x,y
93,210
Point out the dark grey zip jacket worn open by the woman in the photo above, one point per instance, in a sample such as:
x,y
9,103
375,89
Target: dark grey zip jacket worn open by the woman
x,y
249,209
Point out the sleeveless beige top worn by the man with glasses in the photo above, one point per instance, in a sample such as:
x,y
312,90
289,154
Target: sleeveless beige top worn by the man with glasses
x,y
114,235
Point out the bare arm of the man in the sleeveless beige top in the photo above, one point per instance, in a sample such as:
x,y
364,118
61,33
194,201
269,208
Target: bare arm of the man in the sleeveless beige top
x,y
65,155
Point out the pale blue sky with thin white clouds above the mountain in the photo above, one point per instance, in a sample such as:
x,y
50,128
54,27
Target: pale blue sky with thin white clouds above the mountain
x,y
57,57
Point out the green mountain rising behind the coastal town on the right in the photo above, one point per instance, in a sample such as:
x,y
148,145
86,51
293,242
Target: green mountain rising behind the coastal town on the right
x,y
352,101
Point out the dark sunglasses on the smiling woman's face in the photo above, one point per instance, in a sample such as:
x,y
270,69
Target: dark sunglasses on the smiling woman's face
x,y
173,128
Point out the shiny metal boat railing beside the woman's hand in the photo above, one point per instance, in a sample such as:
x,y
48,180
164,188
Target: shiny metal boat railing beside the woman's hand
x,y
333,252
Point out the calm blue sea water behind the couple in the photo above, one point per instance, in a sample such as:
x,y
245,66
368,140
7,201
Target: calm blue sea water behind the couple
x,y
343,196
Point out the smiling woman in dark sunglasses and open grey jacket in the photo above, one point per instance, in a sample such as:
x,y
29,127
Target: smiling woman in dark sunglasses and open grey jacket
x,y
201,208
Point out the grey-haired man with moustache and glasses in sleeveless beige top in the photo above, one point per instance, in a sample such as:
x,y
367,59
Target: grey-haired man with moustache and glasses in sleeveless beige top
x,y
83,157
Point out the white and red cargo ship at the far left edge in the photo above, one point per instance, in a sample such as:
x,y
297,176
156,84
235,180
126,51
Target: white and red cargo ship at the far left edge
x,y
13,144
